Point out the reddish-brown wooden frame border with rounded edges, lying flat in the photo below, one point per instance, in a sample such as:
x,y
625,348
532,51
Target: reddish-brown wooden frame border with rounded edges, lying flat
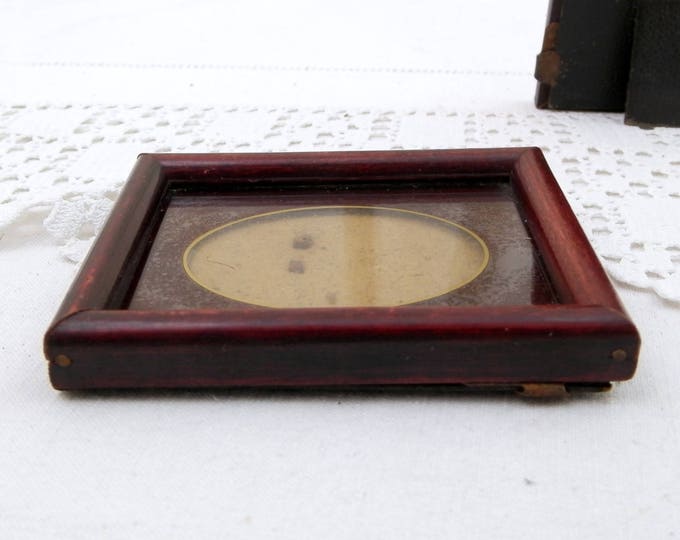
x,y
586,339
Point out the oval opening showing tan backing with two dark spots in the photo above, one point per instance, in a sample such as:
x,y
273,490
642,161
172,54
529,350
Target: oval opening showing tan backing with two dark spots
x,y
336,256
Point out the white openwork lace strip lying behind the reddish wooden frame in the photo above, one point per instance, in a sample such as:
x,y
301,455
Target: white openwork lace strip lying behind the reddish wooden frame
x,y
65,164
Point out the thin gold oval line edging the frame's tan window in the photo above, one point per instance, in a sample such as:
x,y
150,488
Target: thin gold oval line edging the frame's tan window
x,y
479,239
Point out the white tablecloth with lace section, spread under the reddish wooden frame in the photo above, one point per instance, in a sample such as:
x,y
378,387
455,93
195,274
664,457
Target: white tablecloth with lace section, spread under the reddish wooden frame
x,y
85,87
